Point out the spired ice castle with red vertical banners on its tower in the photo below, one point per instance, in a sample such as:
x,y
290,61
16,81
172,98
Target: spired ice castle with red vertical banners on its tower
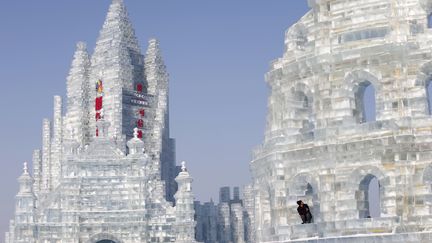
x,y
106,171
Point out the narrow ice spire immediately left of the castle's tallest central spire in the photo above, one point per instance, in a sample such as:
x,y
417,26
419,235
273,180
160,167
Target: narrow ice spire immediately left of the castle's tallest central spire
x,y
77,117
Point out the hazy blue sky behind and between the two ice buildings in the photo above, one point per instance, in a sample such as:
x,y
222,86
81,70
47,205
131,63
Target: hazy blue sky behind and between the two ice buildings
x,y
217,53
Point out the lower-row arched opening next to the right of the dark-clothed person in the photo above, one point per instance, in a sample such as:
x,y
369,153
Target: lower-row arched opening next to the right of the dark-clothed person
x,y
369,197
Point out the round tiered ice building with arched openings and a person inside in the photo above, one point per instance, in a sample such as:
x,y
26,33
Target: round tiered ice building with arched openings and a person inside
x,y
320,147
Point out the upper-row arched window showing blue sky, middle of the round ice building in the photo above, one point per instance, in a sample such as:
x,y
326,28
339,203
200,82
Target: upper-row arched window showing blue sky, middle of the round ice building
x,y
365,102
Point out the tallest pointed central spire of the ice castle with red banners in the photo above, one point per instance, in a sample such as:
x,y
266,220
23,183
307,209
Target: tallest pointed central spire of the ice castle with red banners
x,y
117,61
